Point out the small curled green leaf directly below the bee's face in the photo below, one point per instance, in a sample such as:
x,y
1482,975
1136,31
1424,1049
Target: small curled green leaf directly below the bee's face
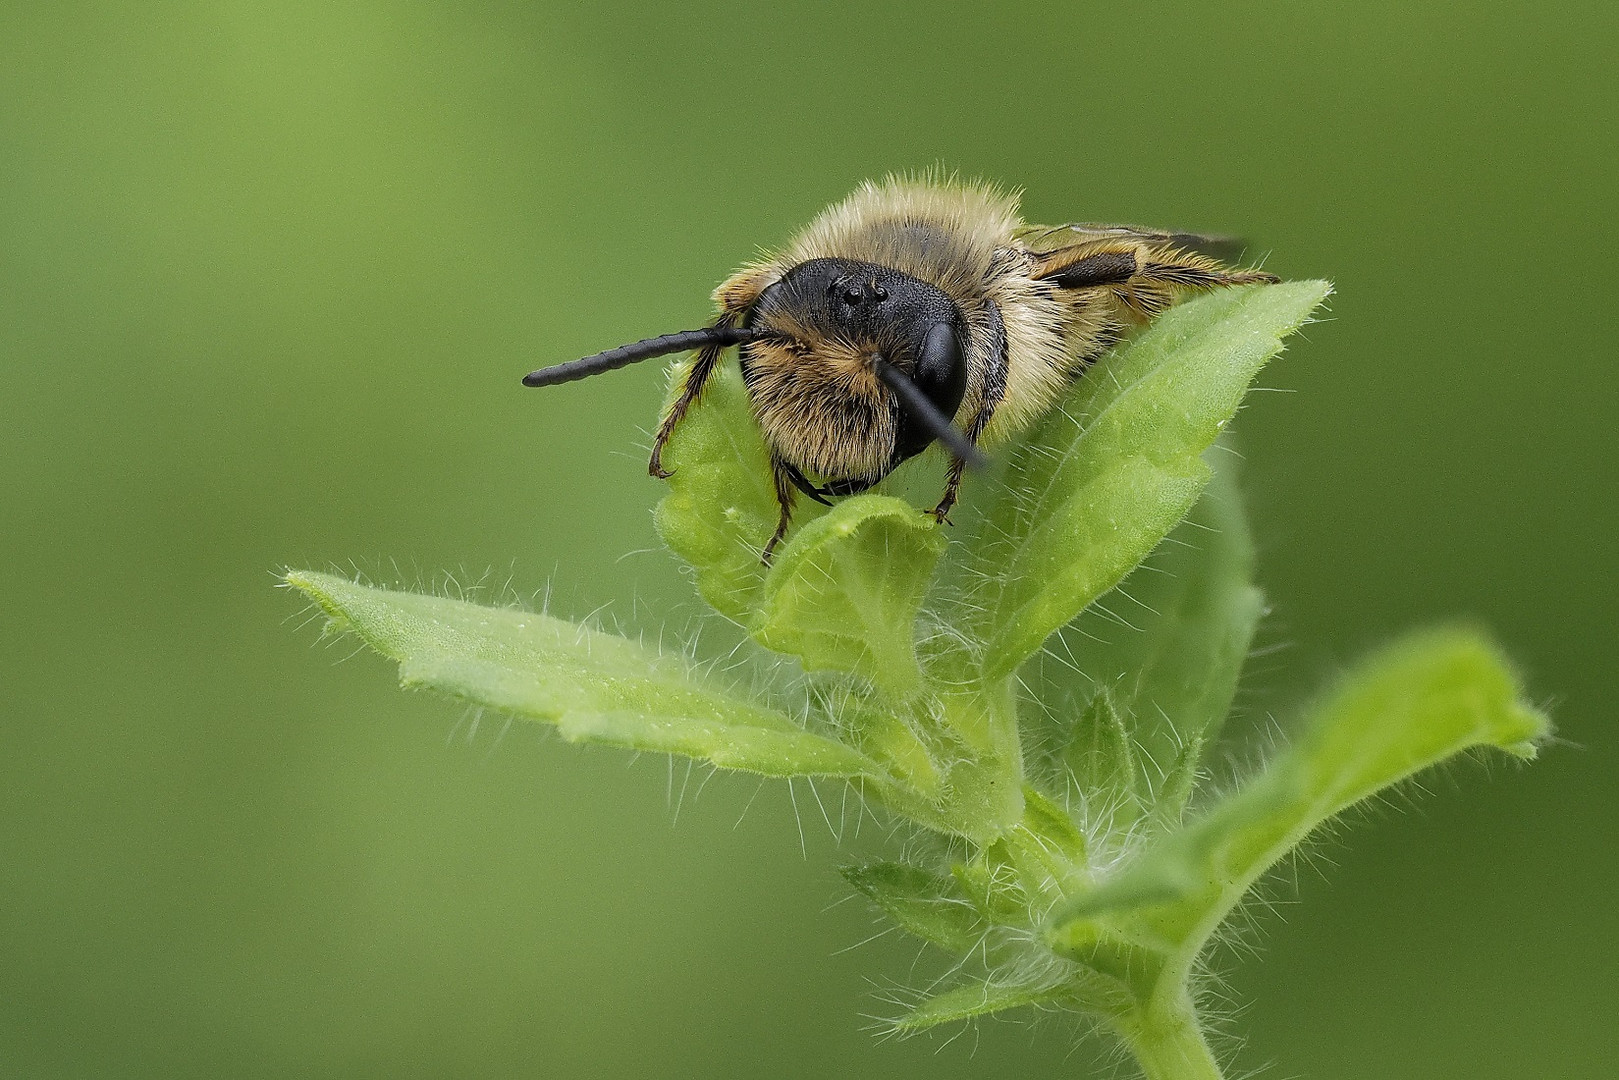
x,y
846,592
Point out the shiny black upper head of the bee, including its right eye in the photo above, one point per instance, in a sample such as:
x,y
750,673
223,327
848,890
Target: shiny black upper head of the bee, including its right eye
x,y
912,323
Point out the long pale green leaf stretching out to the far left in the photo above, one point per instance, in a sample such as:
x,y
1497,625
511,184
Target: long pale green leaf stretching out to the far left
x,y
595,687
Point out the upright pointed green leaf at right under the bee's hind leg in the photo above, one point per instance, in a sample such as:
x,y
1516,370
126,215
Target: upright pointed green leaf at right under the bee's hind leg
x,y
1110,474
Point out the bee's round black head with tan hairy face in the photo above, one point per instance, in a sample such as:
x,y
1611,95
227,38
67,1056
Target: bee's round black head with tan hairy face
x,y
841,352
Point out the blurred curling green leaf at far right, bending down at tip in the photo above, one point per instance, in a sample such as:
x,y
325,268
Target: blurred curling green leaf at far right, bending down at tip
x,y
1406,708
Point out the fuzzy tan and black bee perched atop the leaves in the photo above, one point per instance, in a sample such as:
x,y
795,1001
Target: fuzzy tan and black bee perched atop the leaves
x,y
919,312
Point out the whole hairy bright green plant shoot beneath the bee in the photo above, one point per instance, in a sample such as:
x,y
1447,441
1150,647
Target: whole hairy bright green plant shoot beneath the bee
x,y
1082,864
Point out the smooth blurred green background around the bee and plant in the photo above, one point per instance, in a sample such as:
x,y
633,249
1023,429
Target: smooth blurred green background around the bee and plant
x,y
268,278
